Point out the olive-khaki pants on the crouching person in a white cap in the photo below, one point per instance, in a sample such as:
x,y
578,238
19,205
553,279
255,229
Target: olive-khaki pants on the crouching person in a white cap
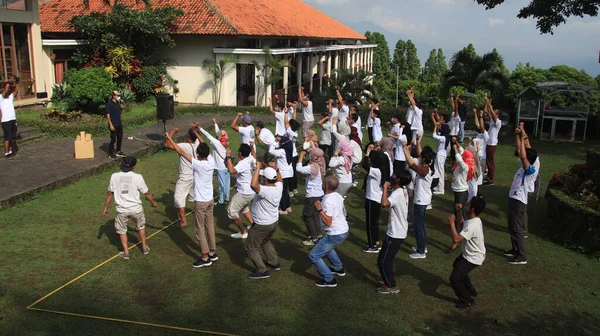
x,y
259,238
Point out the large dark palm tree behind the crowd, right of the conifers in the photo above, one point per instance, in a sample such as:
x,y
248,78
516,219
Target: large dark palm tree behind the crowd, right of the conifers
x,y
474,72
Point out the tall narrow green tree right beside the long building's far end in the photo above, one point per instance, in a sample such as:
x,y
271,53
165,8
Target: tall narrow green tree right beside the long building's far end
x,y
381,67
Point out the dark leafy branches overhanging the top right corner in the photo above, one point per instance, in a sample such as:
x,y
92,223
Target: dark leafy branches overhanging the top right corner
x,y
551,13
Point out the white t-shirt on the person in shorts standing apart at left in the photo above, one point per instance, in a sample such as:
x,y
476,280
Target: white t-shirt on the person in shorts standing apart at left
x,y
126,187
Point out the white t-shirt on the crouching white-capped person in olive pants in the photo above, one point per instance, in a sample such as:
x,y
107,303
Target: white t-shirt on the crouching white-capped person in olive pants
x,y
265,207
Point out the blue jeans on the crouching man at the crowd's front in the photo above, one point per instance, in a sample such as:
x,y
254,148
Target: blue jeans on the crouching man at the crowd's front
x,y
326,247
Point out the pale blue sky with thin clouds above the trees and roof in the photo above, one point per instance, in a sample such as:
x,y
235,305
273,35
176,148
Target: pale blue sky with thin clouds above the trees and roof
x,y
452,24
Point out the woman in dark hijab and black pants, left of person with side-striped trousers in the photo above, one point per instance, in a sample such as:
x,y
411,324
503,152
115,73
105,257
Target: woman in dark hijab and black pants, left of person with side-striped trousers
x,y
377,166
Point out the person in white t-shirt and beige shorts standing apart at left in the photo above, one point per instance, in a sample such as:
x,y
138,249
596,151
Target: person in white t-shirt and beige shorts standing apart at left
x,y
126,187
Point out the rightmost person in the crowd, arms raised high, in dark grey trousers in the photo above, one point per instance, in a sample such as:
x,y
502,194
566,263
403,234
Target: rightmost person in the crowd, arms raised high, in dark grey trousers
x,y
523,184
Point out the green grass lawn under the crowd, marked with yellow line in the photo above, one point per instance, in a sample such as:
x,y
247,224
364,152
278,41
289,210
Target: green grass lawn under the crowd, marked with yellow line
x,y
59,235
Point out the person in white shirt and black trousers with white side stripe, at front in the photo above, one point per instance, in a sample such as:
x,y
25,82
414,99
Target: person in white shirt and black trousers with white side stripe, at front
x,y
397,229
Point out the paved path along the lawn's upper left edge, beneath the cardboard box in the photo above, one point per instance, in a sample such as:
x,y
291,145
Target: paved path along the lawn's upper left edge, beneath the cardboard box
x,y
50,164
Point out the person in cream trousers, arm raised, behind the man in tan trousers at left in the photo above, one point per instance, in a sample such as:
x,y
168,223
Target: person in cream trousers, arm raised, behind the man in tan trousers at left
x,y
184,188
